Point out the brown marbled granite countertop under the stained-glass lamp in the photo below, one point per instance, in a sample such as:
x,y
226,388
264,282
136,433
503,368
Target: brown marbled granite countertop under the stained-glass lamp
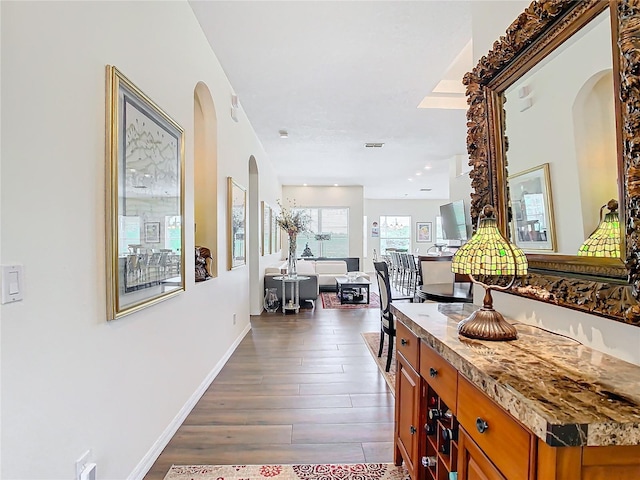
x,y
565,393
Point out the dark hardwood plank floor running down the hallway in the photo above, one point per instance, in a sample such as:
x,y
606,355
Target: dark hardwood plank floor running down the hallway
x,y
299,389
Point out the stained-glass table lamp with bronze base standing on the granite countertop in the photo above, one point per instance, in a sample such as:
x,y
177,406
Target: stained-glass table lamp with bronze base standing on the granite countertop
x,y
488,253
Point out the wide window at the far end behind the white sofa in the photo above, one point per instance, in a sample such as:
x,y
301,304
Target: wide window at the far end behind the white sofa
x,y
330,233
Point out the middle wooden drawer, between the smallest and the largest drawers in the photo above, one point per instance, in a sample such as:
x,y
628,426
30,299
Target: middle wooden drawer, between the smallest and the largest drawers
x,y
440,375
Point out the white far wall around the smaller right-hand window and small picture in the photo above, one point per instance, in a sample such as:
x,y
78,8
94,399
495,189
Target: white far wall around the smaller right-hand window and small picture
x,y
418,210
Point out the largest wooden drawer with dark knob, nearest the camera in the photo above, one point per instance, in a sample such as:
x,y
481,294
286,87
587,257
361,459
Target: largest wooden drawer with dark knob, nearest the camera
x,y
504,440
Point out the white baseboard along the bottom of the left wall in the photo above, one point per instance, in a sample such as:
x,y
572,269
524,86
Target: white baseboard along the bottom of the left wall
x,y
154,452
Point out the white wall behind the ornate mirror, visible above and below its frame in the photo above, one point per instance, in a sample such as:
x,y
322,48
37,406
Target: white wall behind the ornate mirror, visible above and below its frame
x,y
489,21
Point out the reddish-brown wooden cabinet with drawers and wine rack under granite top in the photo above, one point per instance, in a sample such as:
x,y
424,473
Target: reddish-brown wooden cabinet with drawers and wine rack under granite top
x,y
471,434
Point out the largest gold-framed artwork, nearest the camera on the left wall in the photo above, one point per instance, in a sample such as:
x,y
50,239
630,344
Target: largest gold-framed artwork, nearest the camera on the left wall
x,y
145,199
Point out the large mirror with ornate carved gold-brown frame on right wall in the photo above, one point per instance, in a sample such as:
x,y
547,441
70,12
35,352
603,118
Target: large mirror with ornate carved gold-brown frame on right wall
x,y
506,93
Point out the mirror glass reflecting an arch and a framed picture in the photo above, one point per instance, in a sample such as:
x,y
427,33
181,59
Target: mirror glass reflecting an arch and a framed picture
x,y
562,160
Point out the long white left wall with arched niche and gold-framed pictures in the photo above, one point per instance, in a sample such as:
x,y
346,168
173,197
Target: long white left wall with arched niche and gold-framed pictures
x,y
70,379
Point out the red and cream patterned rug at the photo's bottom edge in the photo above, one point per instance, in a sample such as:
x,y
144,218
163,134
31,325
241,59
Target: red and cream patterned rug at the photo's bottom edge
x,y
358,471
